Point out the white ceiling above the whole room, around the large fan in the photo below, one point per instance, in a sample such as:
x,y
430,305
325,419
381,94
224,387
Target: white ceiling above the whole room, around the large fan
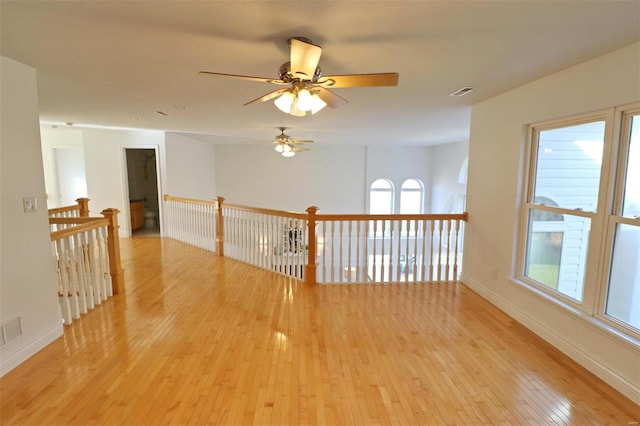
x,y
114,63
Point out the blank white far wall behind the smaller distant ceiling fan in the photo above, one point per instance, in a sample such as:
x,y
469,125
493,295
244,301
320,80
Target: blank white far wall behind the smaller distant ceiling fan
x,y
330,177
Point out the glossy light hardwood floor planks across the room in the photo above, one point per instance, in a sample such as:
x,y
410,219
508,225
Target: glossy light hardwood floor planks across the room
x,y
198,339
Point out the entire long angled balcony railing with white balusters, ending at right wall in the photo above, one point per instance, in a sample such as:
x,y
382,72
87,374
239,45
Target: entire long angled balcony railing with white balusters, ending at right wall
x,y
356,248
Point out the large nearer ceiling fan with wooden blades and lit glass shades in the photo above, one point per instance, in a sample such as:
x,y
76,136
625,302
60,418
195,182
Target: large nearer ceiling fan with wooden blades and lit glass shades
x,y
307,88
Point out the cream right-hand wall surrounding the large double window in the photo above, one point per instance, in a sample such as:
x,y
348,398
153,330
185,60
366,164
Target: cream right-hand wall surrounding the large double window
x,y
496,153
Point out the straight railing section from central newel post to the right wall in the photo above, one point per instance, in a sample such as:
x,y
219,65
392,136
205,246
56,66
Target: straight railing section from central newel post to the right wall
x,y
388,248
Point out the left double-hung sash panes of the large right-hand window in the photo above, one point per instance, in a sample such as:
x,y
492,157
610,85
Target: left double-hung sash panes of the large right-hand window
x,y
566,165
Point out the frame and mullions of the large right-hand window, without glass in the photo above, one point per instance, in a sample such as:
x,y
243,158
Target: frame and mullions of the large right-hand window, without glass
x,y
603,218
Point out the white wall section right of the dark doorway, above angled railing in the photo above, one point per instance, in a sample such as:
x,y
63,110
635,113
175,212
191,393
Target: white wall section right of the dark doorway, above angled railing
x,y
190,168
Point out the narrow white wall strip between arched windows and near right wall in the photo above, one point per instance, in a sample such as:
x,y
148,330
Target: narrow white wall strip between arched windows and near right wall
x,y
447,193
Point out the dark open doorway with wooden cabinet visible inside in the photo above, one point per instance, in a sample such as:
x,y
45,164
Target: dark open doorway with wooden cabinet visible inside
x,y
142,177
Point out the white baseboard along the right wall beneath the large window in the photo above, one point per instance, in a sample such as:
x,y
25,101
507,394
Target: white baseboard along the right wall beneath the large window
x,y
621,384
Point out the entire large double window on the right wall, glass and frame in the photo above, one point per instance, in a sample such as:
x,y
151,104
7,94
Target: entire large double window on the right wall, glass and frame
x,y
582,195
